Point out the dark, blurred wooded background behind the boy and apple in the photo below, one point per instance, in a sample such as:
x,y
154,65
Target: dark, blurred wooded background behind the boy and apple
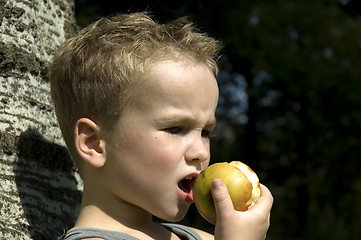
x,y
289,106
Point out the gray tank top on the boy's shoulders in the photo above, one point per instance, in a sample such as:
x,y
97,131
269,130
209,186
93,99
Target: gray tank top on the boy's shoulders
x,y
78,233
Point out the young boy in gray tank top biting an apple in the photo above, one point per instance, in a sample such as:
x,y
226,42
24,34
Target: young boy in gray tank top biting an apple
x,y
136,104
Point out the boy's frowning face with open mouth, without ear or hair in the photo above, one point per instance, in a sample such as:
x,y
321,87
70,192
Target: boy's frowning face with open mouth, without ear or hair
x,y
161,144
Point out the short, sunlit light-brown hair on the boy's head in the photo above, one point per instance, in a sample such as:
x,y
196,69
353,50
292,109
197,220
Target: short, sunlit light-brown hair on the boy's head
x,y
94,74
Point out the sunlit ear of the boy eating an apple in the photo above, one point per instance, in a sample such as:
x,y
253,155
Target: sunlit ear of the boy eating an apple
x,y
88,143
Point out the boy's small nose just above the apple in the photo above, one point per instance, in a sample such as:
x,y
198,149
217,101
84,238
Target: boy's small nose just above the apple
x,y
198,150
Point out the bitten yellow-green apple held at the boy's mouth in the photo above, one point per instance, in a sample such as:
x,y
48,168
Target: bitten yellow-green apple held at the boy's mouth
x,y
241,181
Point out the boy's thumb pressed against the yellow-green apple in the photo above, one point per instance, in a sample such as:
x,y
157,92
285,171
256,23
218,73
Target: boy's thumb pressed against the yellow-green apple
x,y
222,201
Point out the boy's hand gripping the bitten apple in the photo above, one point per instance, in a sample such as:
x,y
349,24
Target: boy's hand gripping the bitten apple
x,y
235,225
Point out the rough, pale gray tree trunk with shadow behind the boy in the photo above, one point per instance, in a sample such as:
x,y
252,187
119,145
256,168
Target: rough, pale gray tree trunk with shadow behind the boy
x,y
39,187
